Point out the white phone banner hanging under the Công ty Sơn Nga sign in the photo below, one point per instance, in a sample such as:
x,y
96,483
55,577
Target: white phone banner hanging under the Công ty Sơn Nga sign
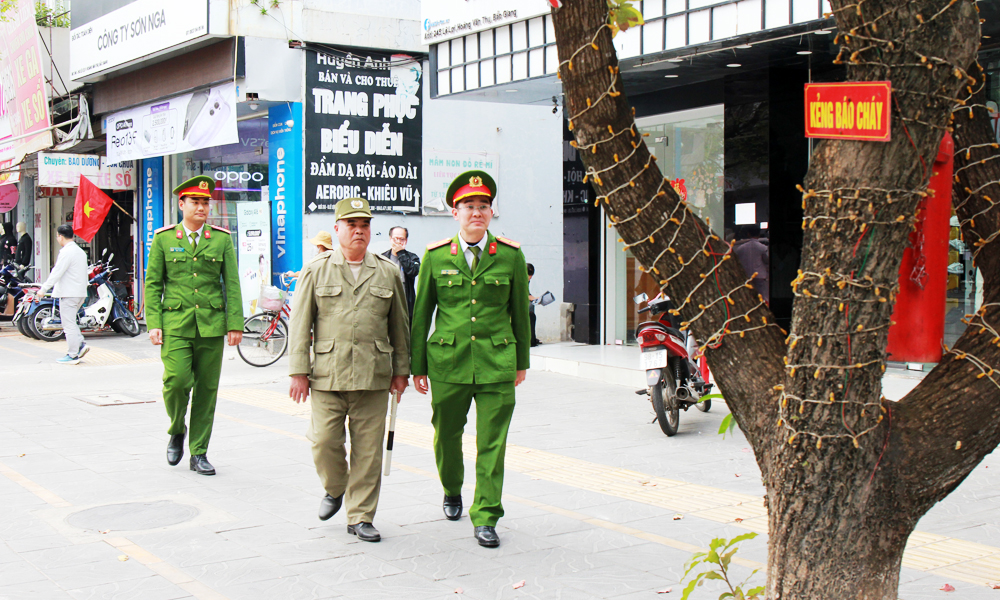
x,y
181,124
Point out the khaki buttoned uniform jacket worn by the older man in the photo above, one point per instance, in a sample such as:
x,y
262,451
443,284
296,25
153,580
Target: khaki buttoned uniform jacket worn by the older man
x,y
360,331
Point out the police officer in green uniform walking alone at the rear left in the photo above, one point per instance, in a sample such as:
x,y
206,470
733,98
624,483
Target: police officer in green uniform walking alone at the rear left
x,y
192,301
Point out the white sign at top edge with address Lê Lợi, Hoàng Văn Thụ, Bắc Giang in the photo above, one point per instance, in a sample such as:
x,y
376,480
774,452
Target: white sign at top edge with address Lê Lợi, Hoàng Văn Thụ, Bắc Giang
x,y
446,19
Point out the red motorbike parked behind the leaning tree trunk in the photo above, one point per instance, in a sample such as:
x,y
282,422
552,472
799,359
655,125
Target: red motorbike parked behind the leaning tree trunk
x,y
674,381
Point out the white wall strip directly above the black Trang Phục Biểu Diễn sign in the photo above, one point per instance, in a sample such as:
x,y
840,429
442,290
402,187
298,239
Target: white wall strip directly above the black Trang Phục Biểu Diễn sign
x,y
391,25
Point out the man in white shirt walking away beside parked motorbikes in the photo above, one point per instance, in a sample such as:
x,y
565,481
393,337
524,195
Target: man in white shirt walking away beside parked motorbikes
x,y
69,278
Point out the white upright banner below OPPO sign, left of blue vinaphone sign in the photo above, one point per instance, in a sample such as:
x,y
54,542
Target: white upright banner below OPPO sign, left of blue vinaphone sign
x,y
253,224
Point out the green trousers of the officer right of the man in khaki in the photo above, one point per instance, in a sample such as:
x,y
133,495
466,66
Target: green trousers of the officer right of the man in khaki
x,y
494,406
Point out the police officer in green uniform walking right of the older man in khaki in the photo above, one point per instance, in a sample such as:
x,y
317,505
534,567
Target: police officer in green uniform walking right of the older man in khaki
x,y
478,284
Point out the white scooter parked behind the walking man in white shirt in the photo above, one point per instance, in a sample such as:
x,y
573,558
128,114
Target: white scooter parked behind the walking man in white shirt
x,y
102,309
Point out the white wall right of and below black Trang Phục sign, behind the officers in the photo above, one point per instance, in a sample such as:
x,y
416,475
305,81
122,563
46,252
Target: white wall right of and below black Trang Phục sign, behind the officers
x,y
528,140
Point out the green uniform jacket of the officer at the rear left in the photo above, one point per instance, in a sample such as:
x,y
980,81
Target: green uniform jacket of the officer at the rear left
x,y
184,285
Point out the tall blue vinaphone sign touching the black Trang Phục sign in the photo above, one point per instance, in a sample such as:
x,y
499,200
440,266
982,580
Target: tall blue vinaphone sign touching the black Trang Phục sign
x,y
285,187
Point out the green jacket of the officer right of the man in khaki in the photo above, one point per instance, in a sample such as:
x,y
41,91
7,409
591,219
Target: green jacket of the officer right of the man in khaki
x,y
481,331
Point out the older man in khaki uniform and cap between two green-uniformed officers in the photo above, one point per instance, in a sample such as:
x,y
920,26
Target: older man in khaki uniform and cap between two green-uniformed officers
x,y
350,308
